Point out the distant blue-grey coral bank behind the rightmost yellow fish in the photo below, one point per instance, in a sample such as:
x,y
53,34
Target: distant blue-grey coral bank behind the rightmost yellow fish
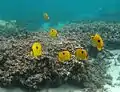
x,y
109,31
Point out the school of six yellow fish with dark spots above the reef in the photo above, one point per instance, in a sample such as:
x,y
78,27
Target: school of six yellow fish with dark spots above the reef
x,y
65,55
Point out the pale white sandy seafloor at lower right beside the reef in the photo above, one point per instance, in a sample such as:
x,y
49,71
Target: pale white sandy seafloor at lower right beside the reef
x,y
114,72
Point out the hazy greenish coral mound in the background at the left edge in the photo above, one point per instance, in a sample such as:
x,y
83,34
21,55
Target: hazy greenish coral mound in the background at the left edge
x,y
10,28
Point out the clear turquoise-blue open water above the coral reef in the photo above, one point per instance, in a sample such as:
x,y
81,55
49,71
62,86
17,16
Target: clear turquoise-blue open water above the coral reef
x,y
30,12
